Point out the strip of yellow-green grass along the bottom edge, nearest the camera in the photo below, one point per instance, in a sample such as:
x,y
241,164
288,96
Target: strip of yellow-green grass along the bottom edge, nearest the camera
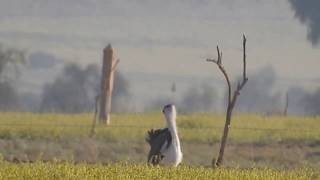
x,y
41,171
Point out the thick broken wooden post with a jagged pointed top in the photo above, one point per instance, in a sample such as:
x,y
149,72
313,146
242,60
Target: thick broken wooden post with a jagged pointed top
x,y
108,67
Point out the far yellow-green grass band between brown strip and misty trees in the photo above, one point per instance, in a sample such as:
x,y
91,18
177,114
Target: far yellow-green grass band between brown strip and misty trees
x,y
192,128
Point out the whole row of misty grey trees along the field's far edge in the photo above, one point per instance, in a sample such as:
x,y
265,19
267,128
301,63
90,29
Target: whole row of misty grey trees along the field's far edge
x,y
74,91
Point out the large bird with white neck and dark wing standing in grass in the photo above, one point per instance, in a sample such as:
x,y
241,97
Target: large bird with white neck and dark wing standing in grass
x,y
164,143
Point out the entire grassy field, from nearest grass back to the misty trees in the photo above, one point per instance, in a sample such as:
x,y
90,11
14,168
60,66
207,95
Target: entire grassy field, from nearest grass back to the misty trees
x,y
259,147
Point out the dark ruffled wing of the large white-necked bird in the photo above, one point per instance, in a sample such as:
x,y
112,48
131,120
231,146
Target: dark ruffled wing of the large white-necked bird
x,y
157,139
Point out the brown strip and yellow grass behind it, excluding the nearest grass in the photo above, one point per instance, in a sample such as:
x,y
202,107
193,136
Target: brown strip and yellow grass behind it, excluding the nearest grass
x,y
254,141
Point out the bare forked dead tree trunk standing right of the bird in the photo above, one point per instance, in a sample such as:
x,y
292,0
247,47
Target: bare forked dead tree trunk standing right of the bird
x,y
232,98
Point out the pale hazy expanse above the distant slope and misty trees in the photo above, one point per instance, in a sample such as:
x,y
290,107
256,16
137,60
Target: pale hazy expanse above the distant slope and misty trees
x,y
169,37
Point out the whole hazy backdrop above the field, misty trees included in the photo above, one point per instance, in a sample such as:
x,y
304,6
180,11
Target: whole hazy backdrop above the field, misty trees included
x,y
162,46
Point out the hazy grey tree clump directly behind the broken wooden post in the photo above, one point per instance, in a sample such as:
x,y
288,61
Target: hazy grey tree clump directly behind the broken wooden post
x,y
75,90
